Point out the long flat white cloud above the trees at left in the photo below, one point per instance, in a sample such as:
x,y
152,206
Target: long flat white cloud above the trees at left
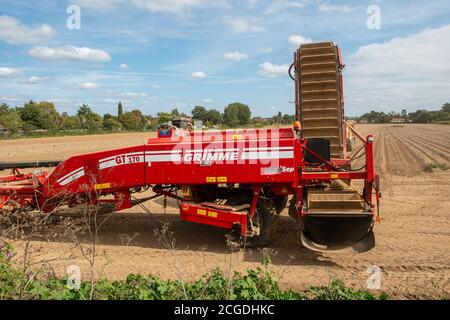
x,y
69,53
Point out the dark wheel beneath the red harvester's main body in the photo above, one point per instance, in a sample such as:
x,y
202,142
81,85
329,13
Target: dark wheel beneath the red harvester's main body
x,y
266,219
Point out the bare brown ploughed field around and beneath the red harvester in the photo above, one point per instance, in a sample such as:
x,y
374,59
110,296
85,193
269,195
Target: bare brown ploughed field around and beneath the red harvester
x,y
413,239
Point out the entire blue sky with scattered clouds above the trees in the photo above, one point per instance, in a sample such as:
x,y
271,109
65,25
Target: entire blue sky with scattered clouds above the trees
x,y
159,54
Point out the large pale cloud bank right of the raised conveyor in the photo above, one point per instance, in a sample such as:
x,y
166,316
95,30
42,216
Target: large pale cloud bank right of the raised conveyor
x,y
406,72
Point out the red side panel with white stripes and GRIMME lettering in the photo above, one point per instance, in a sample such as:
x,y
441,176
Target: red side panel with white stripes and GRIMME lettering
x,y
240,156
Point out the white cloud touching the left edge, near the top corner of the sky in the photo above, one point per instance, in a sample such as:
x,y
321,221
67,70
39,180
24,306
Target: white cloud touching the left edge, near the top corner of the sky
x,y
14,32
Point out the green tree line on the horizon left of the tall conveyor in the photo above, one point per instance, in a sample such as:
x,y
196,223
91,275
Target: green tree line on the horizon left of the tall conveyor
x,y
44,117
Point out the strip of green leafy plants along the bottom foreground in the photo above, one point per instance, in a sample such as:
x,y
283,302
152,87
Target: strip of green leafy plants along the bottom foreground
x,y
259,284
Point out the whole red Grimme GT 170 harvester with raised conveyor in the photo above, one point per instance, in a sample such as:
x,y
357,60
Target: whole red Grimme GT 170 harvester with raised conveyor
x,y
240,180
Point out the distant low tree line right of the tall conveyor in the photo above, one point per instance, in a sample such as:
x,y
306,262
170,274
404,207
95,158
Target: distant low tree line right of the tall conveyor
x,y
419,116
